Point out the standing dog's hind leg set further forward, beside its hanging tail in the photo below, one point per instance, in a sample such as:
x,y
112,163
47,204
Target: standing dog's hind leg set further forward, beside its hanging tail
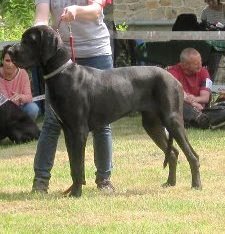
x,y
153,126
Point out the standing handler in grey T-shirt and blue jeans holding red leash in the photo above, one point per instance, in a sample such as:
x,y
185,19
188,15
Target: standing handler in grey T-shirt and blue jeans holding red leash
x,y
92,48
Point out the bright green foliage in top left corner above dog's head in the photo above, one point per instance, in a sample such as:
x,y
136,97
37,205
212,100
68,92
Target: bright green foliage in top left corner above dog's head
x,y
15,17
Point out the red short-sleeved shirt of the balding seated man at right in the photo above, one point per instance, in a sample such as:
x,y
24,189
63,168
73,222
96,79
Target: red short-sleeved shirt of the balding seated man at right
x,y
191,84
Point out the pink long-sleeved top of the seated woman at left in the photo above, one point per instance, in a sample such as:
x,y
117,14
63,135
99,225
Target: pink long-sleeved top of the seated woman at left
x,y
20,84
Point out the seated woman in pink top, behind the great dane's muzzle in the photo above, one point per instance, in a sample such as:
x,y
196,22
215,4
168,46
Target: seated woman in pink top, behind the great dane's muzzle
x,y
15,85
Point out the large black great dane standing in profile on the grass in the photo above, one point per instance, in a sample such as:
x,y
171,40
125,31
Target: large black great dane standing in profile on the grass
x,y
85,98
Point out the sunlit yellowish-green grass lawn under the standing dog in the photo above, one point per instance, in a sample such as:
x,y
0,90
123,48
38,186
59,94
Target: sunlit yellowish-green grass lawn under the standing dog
x,y
139,205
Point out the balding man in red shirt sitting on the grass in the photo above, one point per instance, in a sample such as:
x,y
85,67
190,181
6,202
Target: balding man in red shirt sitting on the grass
x,y
196,84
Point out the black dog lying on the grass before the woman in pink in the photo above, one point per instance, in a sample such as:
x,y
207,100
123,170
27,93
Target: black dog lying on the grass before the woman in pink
x,y
16,125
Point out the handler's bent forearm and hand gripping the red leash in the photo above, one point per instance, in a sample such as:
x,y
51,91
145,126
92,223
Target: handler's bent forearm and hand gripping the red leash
x,y
90,12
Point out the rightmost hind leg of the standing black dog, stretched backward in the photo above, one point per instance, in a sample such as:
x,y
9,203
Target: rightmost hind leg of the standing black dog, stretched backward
x,y
174,125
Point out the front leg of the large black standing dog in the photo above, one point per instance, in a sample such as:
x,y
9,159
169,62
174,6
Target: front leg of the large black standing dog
x,y
75,142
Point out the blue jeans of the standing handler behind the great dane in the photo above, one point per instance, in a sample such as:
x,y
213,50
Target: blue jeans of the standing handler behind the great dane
x,y
47,143
